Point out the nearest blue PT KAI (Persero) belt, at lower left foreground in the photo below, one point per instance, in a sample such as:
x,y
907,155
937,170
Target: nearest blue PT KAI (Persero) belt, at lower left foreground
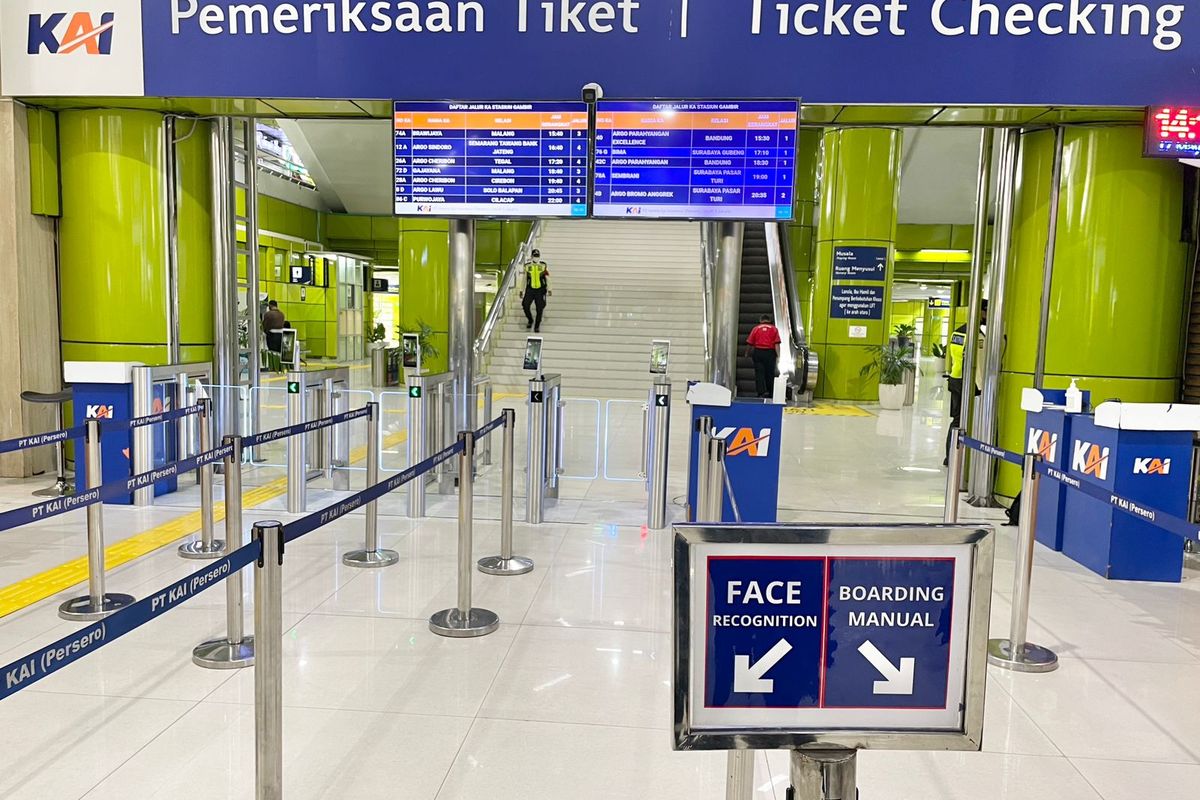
x,y
28,671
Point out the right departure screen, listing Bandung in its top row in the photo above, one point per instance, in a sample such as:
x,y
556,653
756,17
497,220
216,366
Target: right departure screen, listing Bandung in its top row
x,y
695,160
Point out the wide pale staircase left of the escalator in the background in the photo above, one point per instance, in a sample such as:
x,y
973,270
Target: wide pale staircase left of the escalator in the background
x,y
616,287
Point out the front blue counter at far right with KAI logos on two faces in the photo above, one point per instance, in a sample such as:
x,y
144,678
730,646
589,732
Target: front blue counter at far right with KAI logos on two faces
x,y
1149,467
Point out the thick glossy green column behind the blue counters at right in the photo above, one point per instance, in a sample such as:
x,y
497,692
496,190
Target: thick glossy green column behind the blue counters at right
x,y
1120,275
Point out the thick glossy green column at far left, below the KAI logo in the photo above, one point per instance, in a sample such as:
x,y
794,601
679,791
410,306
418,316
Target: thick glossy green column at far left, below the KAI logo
x,y
113,240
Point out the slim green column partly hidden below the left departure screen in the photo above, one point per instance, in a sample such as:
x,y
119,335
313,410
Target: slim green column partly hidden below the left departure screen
x,y
425,284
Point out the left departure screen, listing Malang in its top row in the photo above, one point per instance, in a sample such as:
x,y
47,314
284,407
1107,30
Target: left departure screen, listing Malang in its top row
x,y
491,160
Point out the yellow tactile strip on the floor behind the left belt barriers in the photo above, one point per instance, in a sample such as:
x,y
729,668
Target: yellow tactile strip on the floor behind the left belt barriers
x,y
51,582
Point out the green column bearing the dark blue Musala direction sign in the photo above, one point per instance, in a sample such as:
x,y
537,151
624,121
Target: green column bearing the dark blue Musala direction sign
x,y
860,184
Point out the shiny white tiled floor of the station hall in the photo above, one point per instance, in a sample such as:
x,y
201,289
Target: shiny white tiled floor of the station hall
x,y
571,699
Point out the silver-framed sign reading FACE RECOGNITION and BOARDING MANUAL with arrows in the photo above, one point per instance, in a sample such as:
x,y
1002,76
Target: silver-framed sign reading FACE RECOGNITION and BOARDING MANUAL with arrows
x,y
850,637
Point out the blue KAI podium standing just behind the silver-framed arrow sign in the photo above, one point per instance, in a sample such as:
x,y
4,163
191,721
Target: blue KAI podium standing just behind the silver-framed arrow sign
x,y
753,435
